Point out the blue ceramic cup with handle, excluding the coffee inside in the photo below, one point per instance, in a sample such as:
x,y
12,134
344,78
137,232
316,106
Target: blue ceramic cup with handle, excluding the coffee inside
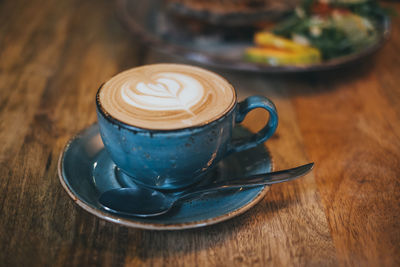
x,y
174,159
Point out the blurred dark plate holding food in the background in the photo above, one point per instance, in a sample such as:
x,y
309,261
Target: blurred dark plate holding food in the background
x,y
153,25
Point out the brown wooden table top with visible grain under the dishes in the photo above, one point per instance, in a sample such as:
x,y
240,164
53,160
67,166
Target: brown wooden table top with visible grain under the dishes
x,y
53,57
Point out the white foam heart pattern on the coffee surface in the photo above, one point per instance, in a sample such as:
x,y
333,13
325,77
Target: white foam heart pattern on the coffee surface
x,y
172,91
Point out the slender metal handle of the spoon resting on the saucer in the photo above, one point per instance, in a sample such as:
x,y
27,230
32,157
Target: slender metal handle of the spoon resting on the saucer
x,y
252,181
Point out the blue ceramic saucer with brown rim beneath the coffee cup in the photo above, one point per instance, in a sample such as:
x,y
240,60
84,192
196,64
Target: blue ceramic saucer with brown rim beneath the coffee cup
x,y
85,171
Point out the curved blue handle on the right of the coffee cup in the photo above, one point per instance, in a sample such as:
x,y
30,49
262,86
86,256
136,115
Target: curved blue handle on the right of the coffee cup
x,y
261,136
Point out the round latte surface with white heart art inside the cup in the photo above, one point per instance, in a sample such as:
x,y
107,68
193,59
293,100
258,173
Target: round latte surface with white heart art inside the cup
x,y
166,96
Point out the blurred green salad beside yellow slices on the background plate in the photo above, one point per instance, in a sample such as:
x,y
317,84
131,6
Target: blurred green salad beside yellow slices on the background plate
x,y
338,28
